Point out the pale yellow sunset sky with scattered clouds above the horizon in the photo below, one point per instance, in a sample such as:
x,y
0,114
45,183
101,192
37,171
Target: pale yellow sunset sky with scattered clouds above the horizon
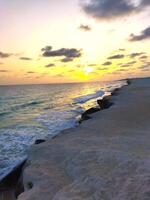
x,y
61,41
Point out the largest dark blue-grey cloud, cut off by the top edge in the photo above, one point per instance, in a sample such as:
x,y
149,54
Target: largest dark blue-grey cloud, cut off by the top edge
x,y
110,9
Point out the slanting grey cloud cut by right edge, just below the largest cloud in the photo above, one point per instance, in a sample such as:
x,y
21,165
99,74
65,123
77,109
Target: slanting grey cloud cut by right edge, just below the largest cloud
x,y
145,34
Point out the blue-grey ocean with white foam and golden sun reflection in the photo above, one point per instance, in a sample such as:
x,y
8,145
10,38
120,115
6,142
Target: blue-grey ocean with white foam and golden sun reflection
x,y
30,112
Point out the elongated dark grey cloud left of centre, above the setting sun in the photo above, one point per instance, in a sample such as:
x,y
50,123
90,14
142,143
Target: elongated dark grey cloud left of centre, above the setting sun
x,y
67,53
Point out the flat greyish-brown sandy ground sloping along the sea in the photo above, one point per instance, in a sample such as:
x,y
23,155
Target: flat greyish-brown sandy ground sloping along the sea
x,y
105,158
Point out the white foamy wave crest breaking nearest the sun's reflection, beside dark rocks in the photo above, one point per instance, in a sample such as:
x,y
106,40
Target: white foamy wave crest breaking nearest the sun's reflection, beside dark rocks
x,y
85,98
